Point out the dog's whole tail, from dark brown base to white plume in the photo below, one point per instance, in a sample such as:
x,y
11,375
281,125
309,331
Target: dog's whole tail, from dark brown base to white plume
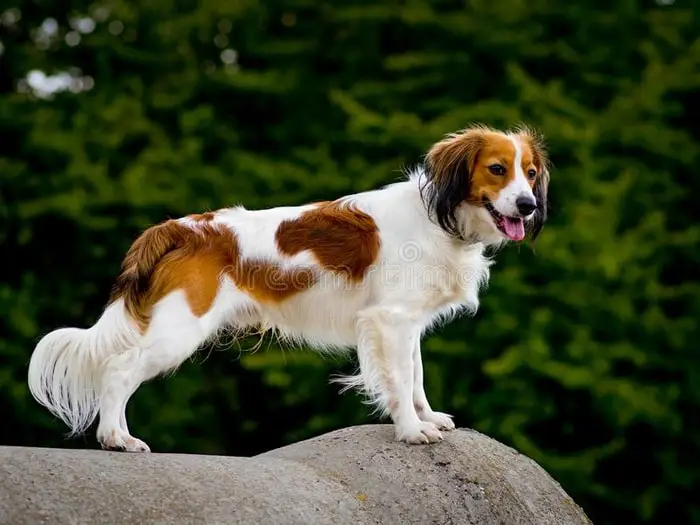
x,y
65,370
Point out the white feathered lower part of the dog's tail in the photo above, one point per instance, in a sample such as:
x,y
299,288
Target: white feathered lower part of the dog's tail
x,y
66,367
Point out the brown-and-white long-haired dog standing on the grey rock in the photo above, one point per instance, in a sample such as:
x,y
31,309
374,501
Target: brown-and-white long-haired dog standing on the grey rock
x,y
372,271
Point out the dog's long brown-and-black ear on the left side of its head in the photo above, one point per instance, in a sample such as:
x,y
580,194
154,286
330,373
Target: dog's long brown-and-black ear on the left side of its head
x,y
450,164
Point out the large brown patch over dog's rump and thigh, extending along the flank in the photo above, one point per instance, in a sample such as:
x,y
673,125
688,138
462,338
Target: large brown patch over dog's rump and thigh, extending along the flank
x,y
172,256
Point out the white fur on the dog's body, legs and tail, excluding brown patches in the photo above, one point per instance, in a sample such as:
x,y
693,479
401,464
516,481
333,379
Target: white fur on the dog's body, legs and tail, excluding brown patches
x,y
421,278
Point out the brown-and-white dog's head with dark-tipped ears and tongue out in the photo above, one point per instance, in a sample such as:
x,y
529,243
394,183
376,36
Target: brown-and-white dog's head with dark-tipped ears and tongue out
x,y
504,175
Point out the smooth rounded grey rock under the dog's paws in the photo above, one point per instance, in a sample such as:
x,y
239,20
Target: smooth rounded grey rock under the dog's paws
x,y
357,475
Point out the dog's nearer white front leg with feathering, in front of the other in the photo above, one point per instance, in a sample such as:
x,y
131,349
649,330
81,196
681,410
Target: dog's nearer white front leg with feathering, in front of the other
x,y
387,337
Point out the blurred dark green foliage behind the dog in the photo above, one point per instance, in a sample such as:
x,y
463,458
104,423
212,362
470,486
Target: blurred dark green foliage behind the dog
x,y
582,355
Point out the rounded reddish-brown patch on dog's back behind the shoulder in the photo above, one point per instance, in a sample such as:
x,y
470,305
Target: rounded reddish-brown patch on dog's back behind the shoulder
x,y
342,239
